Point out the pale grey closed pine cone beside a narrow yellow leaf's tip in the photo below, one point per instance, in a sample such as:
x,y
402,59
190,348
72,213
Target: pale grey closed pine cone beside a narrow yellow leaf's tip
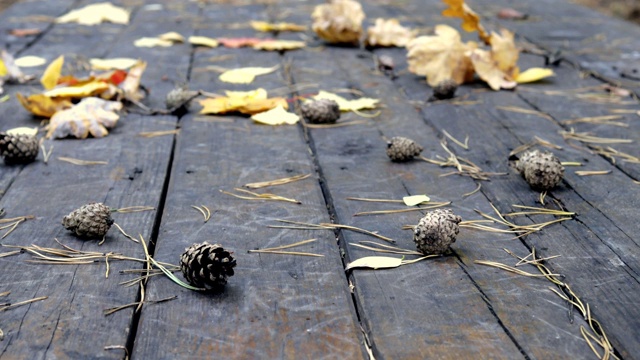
x,y
436,231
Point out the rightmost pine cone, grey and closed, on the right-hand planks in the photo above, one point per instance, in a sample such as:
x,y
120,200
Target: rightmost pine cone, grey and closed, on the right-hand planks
x,y
543,171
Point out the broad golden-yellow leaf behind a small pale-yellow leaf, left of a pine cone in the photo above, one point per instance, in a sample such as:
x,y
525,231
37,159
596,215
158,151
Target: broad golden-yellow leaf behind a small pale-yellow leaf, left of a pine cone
x,y
246,102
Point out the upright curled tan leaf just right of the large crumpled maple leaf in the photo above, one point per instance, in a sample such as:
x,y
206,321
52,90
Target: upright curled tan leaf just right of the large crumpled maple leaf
x,y
498,67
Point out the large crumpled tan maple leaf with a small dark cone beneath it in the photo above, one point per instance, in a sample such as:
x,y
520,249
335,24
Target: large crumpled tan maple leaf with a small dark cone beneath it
x,y
441,57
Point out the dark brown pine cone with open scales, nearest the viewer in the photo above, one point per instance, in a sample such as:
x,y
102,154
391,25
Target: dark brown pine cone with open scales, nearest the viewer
x,y
207,266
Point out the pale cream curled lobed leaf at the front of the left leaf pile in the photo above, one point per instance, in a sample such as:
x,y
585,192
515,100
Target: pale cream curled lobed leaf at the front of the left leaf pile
x,y
90,116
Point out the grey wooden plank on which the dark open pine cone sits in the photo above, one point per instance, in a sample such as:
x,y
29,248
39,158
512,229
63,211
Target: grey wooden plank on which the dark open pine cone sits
x,y
276,306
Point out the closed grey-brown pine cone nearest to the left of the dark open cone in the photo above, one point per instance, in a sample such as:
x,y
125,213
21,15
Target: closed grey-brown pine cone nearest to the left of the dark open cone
x,y
91,221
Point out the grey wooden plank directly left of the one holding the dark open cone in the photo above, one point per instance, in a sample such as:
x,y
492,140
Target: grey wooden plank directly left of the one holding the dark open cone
x,y
70,322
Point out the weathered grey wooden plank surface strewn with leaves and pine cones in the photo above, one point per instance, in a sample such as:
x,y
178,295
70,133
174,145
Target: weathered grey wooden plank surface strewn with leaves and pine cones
x,y
295,307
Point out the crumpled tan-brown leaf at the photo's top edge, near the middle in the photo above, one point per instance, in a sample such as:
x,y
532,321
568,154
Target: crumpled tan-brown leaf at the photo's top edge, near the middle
x,y
339,21
